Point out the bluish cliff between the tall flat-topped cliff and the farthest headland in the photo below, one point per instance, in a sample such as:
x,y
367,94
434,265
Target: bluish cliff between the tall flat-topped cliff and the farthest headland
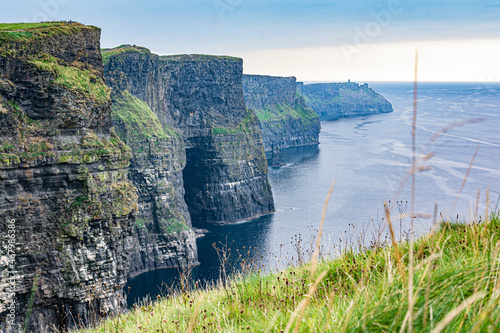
x,y
285,118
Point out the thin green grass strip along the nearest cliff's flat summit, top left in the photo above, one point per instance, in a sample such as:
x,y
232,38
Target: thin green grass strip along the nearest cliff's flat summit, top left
x,y
24,32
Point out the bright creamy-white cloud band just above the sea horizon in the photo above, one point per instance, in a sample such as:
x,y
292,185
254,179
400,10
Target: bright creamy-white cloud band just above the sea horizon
x,y
449,60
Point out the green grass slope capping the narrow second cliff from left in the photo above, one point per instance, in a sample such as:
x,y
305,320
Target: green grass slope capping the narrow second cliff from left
x,y
135,120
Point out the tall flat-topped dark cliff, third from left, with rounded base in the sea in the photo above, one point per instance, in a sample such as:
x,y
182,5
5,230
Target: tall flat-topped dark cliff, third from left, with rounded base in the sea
x,y
225,178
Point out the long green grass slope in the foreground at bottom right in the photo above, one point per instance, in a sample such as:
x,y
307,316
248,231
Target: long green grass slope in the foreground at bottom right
x,y
456,288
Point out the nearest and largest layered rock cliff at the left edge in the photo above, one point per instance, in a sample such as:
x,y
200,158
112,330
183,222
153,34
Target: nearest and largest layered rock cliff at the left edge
x,y
66,204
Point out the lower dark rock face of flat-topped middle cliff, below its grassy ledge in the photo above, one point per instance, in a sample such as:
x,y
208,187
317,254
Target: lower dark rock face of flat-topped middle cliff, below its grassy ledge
x,y
226,174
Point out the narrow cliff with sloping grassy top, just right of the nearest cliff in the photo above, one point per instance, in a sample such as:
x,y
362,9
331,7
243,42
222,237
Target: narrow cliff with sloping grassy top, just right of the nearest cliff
x,y
163,234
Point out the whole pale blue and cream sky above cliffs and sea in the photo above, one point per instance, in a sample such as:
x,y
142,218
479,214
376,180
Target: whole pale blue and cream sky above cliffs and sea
x,y
314,40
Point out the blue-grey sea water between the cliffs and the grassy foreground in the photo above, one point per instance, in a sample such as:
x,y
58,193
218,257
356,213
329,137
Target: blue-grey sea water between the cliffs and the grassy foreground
x,y
369,158
